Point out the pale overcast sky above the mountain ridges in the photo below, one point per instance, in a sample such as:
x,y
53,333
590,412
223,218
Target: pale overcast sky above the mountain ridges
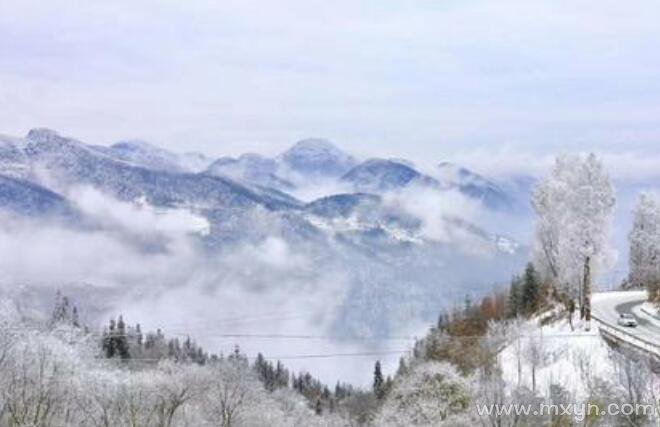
x,y
496,84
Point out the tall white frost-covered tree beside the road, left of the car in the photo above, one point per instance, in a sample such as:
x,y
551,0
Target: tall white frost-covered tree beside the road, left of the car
x,y
573,206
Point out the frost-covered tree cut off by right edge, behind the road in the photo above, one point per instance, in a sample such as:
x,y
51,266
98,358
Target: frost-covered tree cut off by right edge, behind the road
x,y
645,245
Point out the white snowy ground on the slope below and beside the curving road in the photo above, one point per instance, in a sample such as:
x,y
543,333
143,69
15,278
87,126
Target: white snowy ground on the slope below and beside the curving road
x,y
573,357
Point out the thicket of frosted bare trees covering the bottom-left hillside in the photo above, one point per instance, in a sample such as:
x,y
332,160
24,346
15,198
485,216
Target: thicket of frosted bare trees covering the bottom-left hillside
x,y
55,377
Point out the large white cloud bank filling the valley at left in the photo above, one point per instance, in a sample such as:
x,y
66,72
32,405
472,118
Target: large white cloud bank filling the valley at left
x,y
151,266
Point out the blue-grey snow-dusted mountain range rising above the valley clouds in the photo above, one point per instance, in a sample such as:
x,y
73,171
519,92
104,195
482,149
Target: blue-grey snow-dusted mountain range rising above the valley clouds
x,y
377,242
